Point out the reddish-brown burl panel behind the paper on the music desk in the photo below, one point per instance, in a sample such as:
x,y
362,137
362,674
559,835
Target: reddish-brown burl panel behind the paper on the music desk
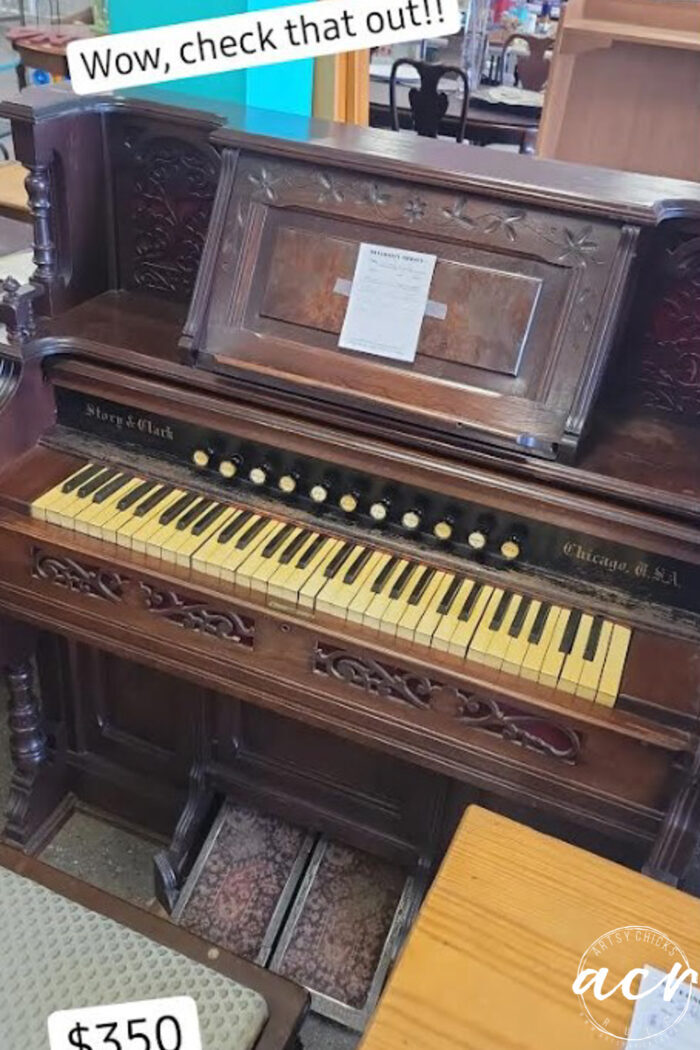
x,y
489,311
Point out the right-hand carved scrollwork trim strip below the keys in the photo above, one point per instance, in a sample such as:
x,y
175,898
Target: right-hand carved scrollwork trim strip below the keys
x,y
481,712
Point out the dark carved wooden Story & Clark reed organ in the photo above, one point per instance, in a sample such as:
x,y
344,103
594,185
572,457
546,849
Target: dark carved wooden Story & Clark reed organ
x,y
351,593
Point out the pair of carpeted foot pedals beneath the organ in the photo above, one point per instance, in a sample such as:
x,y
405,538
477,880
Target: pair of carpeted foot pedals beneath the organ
x,y
321,913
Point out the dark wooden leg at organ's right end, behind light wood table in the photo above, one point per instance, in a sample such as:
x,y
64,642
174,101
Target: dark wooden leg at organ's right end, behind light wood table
x,y
681,832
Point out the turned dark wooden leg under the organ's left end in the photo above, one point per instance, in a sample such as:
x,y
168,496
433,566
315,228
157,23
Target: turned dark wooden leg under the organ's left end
x,y
38,785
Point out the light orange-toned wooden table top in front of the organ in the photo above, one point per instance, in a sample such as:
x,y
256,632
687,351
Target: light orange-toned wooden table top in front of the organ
x,y
492,959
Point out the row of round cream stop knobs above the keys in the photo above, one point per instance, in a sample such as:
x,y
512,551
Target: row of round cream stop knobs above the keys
x,y
321,494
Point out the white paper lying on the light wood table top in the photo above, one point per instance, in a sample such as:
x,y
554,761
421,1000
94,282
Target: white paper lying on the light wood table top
x,y
655,1022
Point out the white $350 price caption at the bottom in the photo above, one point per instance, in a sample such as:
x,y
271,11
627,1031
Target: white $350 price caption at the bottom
x,y
156,1024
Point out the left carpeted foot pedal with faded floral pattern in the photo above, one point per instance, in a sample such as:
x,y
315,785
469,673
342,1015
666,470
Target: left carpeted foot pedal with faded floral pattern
x,y
244,881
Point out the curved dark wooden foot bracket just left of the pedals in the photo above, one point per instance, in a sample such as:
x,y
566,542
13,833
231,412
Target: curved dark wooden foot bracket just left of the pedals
x,y
173,866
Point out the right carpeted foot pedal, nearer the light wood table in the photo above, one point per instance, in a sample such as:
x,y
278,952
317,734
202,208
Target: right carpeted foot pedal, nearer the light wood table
x,y
347,925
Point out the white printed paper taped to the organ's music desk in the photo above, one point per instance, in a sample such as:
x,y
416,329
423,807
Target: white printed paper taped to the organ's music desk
x,y
388,302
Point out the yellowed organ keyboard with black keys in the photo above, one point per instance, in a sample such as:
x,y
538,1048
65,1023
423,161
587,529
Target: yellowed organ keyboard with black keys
x,y
564,648
